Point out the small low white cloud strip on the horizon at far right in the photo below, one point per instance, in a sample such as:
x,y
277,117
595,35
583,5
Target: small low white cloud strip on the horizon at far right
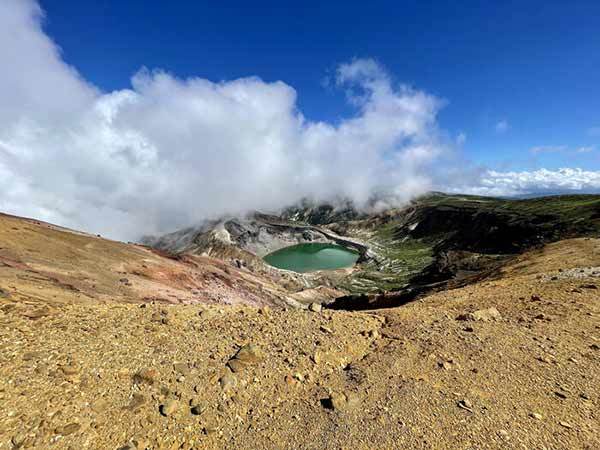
x,y
490,182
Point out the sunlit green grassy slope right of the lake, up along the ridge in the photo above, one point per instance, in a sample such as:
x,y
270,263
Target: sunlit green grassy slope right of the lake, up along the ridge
x,y
402,257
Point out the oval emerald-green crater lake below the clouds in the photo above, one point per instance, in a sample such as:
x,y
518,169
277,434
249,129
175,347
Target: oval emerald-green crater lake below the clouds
x,y
311,257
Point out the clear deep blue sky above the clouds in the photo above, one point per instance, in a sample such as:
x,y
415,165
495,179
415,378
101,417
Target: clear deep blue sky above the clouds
x,y
516,76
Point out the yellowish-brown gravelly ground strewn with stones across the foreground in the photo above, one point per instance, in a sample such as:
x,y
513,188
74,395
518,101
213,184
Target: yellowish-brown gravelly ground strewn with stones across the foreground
x,y
509,362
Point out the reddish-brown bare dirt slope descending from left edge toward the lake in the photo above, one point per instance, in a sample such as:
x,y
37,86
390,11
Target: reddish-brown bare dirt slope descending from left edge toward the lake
x,y
43,262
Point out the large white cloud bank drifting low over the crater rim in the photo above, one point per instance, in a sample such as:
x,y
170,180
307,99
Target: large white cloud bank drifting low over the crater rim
x,y
170,152
